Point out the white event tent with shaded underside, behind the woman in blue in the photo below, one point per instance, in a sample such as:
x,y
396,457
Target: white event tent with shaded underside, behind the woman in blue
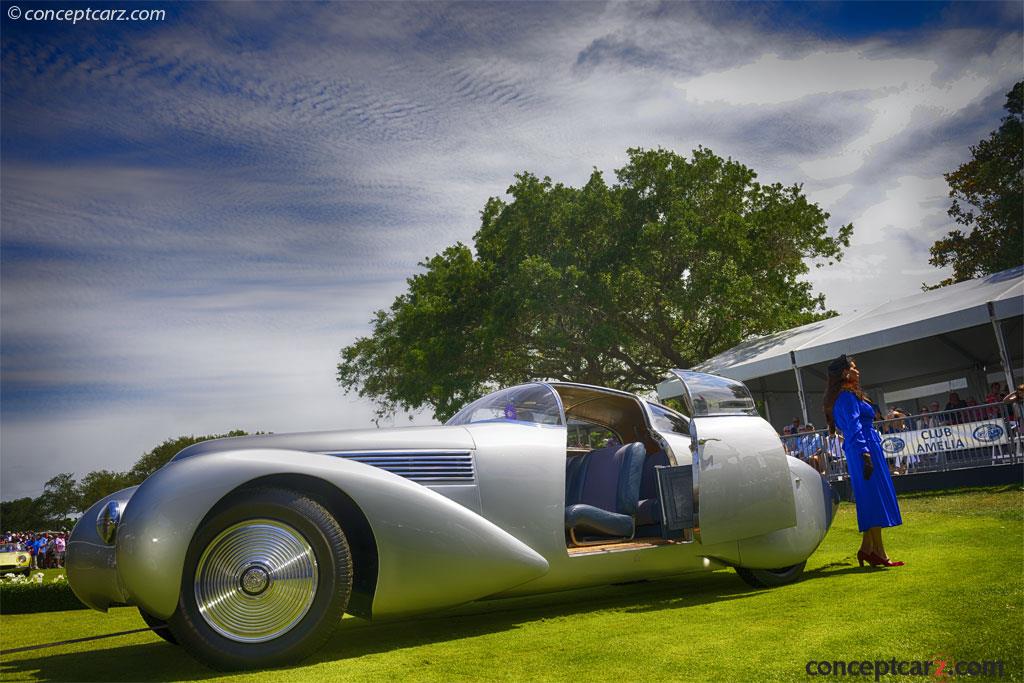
x,y
972,328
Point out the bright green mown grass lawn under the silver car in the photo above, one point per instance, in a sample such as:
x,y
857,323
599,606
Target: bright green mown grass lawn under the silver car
x,y
960,599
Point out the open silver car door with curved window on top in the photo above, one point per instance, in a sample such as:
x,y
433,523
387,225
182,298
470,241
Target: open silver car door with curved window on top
x,y
742,482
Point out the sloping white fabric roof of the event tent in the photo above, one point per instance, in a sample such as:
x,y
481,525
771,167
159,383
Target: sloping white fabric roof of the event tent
x,y
916,317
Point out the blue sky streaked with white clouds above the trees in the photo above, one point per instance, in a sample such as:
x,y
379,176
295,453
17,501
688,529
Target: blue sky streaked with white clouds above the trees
x,y
197,214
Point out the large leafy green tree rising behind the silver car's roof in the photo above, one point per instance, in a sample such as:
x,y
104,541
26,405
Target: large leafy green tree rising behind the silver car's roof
x,y
607,284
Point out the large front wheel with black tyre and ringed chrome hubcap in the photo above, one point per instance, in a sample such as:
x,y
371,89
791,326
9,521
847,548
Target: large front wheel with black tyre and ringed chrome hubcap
x,y
267,579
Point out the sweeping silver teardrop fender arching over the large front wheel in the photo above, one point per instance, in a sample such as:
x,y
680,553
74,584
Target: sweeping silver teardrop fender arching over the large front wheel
x,y
433,552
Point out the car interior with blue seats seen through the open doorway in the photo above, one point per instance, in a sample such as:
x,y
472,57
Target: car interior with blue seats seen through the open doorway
x,y
612,493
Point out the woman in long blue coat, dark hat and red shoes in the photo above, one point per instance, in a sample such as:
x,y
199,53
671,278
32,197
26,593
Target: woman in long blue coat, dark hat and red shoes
x,y
848,409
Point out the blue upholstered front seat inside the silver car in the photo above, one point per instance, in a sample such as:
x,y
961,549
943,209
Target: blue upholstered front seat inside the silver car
x,y
603,491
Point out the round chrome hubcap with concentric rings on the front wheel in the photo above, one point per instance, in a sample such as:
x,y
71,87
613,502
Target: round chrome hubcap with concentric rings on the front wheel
x,y
257,581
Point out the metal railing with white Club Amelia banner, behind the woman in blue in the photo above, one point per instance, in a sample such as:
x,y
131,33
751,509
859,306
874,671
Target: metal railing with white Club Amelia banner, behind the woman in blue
x,y
974,437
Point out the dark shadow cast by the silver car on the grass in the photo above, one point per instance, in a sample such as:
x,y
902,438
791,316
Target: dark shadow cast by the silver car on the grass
x,y
158,661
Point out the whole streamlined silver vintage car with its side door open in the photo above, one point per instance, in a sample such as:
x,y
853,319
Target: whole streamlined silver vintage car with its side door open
x,y
509,498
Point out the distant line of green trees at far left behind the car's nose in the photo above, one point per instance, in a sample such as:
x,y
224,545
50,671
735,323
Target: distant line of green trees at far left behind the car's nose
x,y
64,497
